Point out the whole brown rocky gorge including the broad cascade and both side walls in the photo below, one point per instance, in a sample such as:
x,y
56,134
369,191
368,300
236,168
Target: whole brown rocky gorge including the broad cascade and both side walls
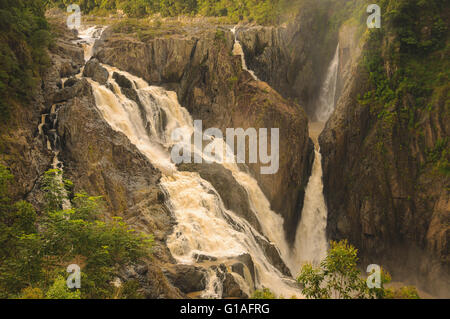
x,y
380,188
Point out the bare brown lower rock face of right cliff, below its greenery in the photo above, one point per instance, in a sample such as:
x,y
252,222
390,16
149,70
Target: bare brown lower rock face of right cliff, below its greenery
x,y
381,192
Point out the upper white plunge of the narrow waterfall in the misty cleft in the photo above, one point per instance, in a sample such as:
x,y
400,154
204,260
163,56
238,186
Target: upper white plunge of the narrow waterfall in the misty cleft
x,y
327,93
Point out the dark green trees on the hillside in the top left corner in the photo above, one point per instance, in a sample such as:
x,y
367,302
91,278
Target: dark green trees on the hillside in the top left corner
x,y
24,39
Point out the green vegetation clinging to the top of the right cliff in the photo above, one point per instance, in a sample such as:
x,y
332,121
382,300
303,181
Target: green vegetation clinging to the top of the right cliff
x,y
408,66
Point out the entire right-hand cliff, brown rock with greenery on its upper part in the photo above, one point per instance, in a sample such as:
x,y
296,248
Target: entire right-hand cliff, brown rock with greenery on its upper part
x,y
385,151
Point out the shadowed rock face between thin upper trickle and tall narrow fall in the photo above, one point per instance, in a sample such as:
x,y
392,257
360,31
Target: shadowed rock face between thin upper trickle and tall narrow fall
x,y
292,58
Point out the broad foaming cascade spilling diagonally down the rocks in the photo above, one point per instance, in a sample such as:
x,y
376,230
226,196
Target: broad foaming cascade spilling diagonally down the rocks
x,y
204,226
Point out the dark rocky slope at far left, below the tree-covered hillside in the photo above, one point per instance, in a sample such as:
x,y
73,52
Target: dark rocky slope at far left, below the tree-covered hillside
x,y
23,149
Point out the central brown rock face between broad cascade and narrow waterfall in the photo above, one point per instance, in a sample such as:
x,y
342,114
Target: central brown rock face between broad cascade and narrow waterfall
x,y
213,87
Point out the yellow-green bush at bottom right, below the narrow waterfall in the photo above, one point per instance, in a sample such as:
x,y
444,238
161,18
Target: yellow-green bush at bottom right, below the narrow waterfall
x,y
338,277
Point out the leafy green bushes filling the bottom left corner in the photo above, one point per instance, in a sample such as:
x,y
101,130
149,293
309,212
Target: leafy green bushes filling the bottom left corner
x,y
35,249
